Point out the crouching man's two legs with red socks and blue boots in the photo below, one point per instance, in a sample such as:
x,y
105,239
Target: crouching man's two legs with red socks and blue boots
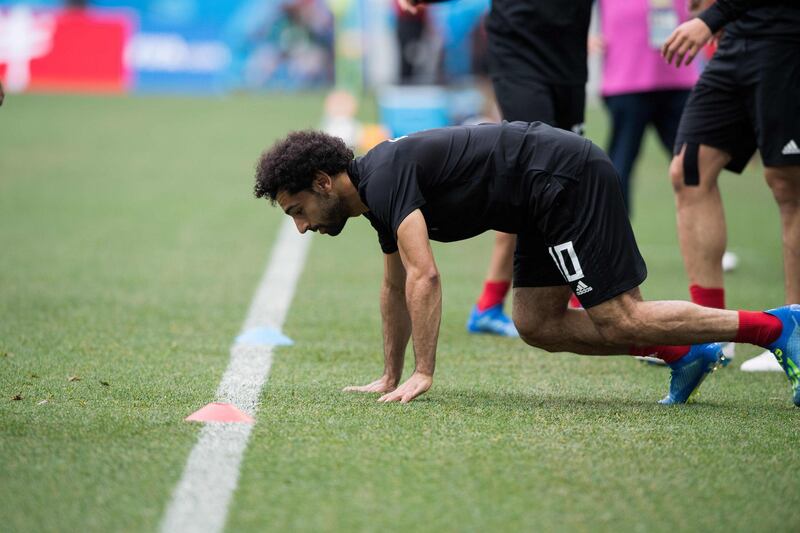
x,y
683,333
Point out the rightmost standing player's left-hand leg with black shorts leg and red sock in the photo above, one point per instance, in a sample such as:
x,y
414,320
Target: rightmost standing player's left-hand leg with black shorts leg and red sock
x,y
715,132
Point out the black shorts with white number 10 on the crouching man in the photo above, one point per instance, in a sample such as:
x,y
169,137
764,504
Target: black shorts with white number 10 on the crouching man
x,y
584,239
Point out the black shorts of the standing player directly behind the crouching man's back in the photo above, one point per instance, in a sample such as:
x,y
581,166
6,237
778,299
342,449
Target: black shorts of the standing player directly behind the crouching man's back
x,y
562,106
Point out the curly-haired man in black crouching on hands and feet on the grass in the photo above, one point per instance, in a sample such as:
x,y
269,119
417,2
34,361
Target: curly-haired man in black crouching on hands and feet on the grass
x,y
560,194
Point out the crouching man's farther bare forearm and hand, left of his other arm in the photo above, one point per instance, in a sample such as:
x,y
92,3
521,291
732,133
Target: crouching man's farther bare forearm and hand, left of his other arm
x,y
396,326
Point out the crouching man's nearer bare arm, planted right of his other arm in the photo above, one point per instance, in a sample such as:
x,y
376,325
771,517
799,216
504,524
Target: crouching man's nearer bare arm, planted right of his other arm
x,y
423,293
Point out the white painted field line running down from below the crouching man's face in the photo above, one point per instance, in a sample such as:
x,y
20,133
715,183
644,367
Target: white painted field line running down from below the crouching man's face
x,y
201,498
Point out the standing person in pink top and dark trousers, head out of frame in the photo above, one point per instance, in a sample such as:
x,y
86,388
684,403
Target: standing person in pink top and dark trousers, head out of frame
x,y
638,87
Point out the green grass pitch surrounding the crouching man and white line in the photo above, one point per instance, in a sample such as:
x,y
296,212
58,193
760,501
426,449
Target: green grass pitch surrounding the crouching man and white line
x,y
130,247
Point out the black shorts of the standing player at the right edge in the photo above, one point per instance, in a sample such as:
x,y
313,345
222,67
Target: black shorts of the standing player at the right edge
x,y
748,97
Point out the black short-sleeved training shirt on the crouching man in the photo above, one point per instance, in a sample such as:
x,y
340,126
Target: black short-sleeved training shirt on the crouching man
x,y
467,179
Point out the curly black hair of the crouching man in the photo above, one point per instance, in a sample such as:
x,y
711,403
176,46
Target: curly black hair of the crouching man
x,y
292,163
